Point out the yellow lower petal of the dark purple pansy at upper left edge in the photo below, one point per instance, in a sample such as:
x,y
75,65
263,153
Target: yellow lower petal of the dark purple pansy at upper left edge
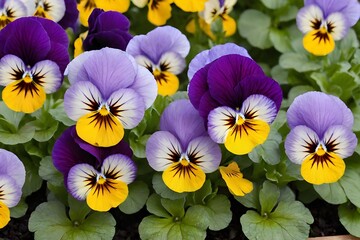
x,y
24,97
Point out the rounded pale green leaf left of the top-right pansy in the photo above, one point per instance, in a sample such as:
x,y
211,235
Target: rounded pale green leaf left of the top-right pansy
x,y
255,27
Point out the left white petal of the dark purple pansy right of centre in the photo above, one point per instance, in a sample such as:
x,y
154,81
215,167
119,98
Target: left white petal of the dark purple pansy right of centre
x,y
219,120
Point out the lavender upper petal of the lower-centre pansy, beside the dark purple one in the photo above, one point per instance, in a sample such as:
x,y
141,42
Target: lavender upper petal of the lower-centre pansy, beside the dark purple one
x,y
182,120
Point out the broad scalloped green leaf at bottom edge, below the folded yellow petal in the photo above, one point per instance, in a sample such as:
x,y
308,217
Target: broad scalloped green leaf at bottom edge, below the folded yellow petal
x,y
289,220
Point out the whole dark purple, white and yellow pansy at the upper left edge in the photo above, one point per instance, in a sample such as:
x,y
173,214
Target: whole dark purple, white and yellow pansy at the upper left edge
x,y
34,54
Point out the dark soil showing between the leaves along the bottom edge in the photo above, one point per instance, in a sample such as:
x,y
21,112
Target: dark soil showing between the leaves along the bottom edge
x,y
326,222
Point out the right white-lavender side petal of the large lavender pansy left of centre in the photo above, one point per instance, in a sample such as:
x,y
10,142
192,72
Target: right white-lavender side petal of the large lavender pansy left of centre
x,y
130,106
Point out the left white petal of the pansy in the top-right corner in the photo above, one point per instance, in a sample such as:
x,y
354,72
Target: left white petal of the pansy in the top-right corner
x,y
306,16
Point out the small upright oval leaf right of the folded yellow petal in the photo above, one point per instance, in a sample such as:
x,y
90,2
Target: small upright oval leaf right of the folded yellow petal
x,y
268,197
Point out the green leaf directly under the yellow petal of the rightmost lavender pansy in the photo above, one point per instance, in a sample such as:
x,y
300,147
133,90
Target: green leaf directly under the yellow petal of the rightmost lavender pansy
x,y
332,193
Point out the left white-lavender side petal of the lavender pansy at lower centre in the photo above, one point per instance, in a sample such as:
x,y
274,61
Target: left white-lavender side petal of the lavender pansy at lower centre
x,y
162,149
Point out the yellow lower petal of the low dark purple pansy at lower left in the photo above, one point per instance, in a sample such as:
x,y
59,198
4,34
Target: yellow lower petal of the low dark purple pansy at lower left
x,y
104,196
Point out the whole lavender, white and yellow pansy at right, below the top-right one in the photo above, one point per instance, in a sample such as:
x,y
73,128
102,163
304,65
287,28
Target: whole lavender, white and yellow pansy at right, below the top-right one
x,y
320,136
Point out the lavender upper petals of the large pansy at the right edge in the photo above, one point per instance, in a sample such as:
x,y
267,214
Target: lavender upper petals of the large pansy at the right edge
x,y
319,111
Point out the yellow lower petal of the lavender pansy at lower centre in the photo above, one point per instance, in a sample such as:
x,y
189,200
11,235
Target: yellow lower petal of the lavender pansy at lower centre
x,y
183,177
